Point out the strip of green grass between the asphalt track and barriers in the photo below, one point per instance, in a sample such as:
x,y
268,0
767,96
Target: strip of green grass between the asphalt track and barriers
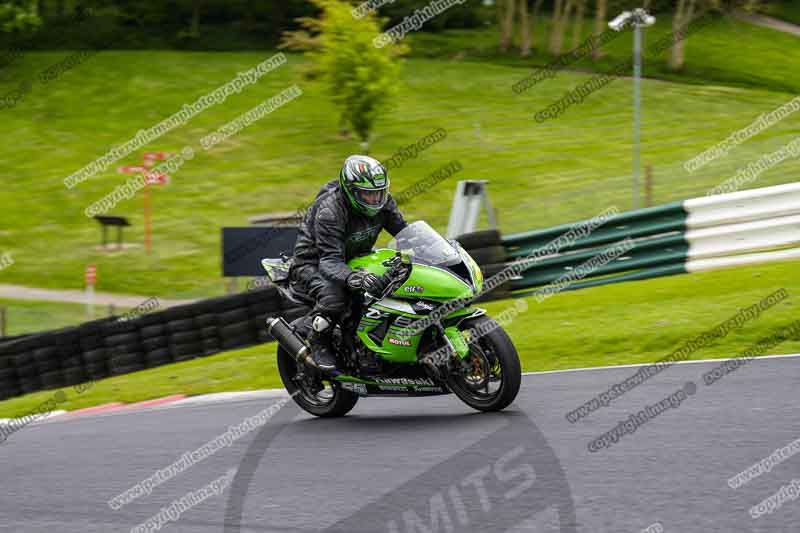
x,y
618,324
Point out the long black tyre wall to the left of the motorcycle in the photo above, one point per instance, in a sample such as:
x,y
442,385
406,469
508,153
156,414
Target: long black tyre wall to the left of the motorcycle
x,y
110,347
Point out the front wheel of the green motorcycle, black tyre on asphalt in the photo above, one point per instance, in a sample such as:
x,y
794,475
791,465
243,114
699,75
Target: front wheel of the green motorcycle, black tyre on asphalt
x,y
489,377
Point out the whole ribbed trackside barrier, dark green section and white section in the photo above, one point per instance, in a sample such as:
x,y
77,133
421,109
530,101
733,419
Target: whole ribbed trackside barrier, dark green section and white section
x,y
696,235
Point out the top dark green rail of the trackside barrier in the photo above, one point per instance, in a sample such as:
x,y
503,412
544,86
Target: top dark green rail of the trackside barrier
x,y
639,223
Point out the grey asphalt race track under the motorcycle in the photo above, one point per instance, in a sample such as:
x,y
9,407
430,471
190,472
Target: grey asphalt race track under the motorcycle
x,y
398,465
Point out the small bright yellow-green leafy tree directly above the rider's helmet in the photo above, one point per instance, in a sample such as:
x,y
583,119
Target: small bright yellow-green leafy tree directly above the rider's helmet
x,y
360,77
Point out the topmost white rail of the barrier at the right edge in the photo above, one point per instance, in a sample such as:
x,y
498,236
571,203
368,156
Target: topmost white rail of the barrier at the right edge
x,y
743,206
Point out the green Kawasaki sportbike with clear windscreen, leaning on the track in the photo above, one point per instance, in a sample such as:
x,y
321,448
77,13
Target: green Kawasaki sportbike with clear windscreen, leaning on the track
x,y
419,337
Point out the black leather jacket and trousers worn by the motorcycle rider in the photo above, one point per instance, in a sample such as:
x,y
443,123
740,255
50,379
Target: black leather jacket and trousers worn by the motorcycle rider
x,y
331,234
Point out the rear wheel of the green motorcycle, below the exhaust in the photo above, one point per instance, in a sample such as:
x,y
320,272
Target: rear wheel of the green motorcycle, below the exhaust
x,y
330,401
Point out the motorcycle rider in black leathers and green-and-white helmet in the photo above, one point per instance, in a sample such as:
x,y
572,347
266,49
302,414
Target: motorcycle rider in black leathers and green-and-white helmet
x,y
344,222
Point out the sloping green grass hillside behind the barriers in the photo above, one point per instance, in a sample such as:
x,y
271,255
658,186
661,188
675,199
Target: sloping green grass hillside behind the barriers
x,y
541,174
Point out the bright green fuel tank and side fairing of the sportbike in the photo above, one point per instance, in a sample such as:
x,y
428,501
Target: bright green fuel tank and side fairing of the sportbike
x,y
424,283
